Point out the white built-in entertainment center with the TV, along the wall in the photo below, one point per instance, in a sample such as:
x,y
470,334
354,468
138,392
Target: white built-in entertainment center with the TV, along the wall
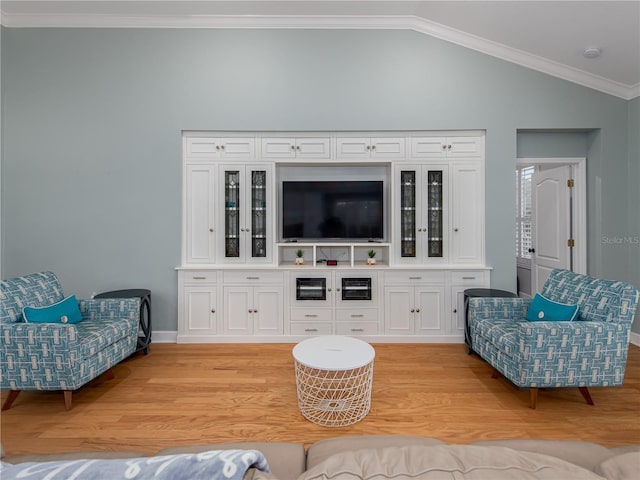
x,y
253,200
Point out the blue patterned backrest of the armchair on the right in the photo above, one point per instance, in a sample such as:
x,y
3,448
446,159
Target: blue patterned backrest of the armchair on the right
x,y
598,300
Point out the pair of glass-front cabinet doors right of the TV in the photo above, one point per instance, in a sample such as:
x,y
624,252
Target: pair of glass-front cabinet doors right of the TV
x,y
422,198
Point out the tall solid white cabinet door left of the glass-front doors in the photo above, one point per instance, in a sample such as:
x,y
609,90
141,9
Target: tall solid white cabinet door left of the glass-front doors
x,y
199,214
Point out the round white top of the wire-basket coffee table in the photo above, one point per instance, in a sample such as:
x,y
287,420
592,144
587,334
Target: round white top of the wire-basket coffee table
x,y
334,352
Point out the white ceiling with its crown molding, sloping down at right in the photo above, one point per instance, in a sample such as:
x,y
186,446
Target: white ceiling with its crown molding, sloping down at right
x,y
548,36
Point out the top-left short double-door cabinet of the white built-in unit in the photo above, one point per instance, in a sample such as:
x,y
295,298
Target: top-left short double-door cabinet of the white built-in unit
x,y
220,148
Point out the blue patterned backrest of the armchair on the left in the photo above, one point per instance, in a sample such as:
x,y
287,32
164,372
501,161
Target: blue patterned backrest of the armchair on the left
x,y
34,290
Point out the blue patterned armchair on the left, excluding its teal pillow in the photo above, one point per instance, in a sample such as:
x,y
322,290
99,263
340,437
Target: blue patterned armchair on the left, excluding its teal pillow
x,y
58,356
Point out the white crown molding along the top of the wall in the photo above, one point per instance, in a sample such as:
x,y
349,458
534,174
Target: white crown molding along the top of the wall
x,y
404,22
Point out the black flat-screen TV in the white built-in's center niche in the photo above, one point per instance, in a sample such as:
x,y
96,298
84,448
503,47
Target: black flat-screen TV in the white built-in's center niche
x,y
347,210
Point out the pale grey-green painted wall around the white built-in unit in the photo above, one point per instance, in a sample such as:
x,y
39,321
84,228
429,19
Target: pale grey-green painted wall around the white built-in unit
x,y
91,180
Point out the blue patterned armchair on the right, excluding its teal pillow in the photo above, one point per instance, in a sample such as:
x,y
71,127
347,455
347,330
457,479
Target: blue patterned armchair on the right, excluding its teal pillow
x,y
589,351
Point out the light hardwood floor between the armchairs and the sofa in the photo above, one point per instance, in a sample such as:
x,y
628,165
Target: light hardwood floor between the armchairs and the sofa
x,y
195,394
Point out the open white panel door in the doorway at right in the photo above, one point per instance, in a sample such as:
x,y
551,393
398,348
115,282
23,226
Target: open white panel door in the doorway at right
x,y
551,223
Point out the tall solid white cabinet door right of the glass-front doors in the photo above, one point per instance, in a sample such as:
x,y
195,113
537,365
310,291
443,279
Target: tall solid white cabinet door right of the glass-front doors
x,y
467,213
